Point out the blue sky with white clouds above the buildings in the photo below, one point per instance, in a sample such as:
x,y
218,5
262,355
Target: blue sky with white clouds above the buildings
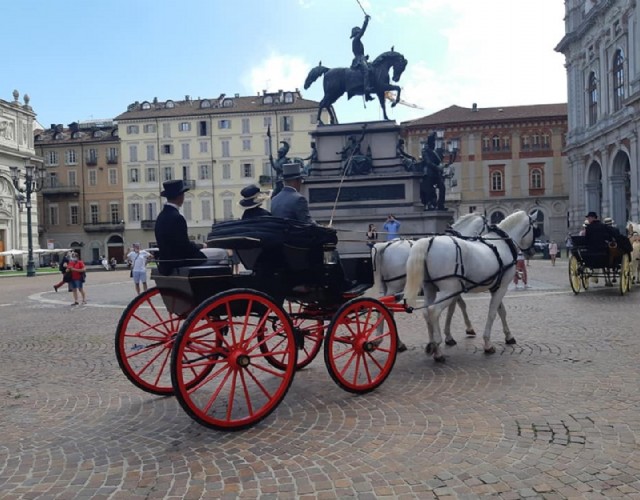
x,y
80,60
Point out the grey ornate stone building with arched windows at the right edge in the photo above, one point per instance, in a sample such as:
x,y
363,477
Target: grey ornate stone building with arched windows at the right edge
x,y
601,46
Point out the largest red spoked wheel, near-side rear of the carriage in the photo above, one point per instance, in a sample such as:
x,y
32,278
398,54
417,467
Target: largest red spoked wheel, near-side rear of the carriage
x,y
226,334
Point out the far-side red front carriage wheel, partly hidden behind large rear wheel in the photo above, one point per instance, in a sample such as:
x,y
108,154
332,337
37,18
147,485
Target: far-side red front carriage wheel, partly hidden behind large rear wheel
x,y
308,334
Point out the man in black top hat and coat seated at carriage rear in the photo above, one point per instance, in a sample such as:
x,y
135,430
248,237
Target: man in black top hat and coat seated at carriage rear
x,y
175,247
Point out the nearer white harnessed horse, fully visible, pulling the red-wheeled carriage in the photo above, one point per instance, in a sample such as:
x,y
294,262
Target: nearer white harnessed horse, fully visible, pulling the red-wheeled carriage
x,y
447,266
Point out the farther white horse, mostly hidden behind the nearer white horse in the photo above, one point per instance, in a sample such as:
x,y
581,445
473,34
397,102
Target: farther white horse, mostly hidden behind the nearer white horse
x,y
390,269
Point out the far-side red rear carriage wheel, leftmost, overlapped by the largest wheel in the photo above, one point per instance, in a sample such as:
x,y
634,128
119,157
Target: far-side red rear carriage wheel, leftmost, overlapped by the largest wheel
x,y
145,336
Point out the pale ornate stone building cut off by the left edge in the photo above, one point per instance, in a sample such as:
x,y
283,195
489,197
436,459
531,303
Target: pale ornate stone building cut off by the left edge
x,y
17,121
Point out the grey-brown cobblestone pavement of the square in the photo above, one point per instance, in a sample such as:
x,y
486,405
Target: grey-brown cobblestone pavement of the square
x,y
554,416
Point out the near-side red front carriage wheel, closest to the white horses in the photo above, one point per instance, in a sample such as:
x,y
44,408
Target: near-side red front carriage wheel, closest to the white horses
x,y
361,345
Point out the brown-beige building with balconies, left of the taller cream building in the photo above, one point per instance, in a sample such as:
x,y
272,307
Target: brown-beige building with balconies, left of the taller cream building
x,y
81,200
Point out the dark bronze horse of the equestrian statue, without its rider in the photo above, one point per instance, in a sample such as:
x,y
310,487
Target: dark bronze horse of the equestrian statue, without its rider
x,y
337,81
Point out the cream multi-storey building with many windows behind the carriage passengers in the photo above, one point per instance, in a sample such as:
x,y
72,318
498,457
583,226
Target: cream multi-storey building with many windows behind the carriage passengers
x,y
217,145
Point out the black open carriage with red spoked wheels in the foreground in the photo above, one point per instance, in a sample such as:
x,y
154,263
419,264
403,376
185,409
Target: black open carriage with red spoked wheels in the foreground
x,y
228,345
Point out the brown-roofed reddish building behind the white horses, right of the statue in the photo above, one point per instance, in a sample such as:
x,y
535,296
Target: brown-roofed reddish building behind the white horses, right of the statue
x,y
509,158
